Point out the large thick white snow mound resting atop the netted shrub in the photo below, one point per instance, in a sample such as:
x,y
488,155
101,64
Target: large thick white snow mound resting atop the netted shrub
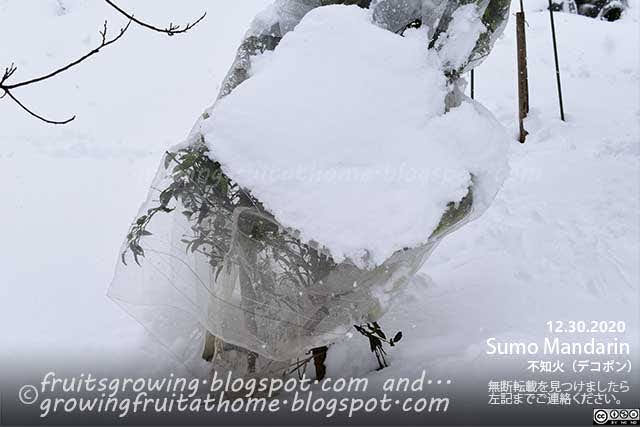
x,y
341,132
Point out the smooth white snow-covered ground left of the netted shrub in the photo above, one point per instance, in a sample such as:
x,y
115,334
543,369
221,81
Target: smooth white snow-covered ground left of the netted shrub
x,y
70,192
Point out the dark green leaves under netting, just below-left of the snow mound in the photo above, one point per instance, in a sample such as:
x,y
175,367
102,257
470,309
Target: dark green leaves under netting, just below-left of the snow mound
x,y
208,199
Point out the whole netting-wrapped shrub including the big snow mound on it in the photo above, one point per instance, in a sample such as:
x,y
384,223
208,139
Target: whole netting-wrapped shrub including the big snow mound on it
x,y
340,152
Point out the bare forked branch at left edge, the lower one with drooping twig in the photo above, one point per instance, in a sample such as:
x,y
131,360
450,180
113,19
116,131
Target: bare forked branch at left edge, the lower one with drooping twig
x,y
9,71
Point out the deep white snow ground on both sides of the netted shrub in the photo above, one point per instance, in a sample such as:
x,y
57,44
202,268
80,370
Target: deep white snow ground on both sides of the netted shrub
x,y
560,242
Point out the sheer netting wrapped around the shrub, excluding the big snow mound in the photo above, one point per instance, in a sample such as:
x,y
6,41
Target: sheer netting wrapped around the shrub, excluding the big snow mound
x,y
214,276
